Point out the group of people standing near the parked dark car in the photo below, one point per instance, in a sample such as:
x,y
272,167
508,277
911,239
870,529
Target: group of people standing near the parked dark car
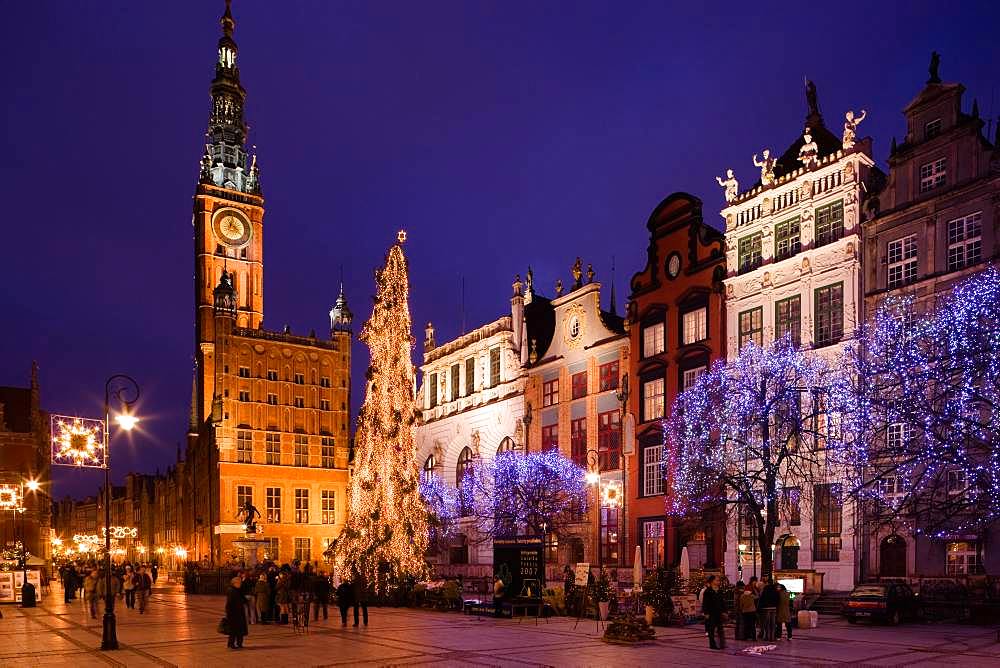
x,y
760,605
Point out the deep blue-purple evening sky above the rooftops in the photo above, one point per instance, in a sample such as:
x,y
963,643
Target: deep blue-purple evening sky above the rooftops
x,y
499,134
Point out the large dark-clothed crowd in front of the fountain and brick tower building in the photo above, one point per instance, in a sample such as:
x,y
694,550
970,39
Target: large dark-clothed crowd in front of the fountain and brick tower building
x,y
269,594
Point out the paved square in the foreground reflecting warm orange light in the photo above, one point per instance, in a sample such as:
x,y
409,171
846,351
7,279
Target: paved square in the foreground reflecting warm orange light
x,y
180,631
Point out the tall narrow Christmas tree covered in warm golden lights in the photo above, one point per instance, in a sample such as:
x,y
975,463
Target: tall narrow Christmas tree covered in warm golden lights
x,y
386,533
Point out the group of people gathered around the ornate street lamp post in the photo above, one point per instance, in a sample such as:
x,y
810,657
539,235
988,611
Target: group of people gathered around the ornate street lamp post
x,y
89,581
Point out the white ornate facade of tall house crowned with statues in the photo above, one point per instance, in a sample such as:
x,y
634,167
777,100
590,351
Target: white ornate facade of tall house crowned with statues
x,y
833,182
